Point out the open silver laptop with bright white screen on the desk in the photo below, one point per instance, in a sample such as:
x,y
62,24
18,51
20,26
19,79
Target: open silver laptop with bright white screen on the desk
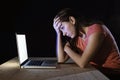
x,y
28,62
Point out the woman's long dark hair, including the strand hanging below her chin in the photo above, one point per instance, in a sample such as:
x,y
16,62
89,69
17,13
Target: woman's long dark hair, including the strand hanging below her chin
x,y
81,21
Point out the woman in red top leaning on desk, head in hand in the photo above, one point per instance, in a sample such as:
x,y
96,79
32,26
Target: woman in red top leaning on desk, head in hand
x,y
90,42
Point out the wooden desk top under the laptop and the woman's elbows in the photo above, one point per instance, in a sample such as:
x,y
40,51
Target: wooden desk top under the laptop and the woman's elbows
x,y
10,70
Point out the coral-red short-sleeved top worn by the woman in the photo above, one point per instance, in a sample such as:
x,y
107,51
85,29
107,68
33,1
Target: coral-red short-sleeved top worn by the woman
x,y
108,55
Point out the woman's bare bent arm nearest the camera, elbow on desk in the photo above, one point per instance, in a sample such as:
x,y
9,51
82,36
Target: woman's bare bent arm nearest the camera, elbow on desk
x,y
92,48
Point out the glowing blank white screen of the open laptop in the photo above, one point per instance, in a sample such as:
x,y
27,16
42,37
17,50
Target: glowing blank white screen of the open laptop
x,y
22,47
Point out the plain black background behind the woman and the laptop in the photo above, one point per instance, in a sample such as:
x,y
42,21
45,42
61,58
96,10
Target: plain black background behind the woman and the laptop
x,y
34,18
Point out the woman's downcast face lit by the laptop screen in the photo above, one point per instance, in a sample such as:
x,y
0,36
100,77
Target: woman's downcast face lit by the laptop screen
x,y
68,29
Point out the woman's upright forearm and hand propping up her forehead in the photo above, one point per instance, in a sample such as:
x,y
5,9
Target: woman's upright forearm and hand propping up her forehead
x,y
62,56
